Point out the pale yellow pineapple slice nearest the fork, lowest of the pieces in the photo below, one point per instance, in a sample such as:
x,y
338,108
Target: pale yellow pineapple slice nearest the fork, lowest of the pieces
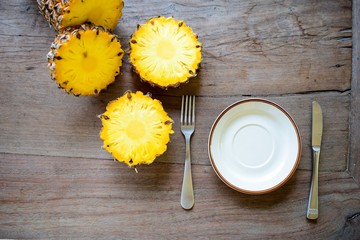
x,y
136,129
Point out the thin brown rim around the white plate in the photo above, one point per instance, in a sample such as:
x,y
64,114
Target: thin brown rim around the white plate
x,y
298,139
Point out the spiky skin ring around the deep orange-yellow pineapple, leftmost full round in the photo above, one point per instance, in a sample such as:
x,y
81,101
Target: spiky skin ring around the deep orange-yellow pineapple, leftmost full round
x,y
62,39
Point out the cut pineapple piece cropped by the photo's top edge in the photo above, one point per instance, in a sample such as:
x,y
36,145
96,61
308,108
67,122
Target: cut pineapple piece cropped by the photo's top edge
x,y
65,13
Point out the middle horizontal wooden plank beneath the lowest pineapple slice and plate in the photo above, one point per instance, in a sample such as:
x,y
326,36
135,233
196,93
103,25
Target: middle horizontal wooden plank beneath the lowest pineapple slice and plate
x,y
68,126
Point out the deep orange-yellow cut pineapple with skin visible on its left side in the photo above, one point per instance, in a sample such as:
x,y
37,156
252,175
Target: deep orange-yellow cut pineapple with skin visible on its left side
x,y
85,60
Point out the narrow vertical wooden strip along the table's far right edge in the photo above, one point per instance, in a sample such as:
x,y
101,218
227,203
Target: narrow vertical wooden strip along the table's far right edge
x,y
354,159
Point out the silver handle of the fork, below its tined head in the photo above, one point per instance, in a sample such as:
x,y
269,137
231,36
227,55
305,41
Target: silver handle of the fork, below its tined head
x,y
187,192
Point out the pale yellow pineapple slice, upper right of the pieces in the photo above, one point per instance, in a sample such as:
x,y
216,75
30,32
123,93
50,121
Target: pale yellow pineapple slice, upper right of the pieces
x,y
165,52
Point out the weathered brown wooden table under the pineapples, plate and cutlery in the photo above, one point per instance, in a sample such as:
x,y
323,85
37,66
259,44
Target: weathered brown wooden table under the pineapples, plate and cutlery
x,y
57,182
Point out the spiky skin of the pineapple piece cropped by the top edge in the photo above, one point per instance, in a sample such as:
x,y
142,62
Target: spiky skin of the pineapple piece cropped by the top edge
x,y
54,11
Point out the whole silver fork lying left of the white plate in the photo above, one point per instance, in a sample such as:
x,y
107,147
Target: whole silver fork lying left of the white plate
x,y
187,126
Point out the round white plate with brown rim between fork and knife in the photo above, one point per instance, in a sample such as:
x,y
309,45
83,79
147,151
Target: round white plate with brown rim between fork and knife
x,y
254,146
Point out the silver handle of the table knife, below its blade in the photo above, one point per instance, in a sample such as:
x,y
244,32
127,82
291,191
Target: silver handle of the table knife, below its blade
x,y
312,210
